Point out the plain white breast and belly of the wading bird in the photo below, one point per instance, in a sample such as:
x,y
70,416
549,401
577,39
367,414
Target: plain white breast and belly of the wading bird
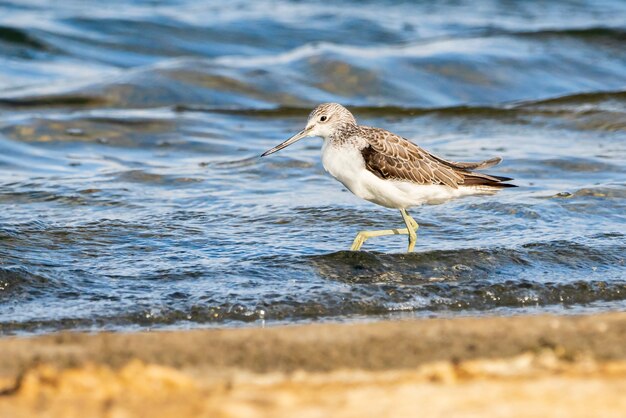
x,y
346,164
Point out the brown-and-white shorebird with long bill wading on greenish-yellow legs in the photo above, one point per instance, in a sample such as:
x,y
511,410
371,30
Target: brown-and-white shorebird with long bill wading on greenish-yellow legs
x,y
389,170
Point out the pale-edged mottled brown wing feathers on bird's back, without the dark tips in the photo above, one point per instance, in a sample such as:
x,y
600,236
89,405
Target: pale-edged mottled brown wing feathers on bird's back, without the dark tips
x,y
391,156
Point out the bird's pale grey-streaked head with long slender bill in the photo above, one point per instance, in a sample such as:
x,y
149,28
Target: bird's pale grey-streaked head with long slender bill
x,y
323,121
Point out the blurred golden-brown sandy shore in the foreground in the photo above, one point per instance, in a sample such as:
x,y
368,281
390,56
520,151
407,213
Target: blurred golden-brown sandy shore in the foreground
x,y
474,367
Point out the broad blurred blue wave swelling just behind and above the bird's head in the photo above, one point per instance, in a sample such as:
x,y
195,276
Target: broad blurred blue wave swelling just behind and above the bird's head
x,y
439,74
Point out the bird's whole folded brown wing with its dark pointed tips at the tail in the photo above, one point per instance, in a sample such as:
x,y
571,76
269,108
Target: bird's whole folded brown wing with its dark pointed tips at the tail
x,y
390,156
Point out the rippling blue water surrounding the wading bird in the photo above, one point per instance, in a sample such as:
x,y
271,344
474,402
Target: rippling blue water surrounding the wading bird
x,y
132,195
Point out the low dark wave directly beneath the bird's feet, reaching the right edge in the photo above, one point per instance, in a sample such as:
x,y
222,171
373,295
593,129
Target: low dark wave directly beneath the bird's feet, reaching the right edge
x,y
459,265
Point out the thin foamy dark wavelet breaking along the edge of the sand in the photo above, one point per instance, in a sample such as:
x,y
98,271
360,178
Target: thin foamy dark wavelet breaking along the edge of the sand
x,y
373,300
